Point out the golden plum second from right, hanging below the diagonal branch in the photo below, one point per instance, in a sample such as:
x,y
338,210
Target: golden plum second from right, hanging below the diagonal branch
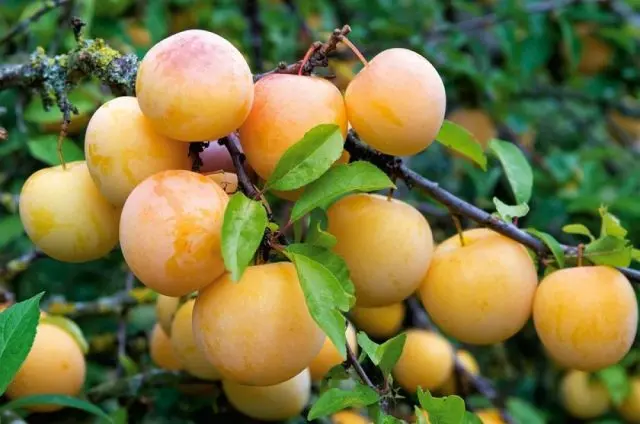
x,y
480,293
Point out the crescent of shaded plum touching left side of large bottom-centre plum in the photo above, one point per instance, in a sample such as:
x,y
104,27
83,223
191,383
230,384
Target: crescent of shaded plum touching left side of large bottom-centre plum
x,y
184,345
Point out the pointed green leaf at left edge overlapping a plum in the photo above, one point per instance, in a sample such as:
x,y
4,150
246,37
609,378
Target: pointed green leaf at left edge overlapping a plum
x,y
18,325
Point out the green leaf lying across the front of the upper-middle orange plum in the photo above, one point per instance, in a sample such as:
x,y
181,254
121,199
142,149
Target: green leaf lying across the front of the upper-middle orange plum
x,y
305,161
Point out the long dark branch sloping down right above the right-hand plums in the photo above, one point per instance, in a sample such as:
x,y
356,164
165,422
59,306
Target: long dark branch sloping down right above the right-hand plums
x,y
395,167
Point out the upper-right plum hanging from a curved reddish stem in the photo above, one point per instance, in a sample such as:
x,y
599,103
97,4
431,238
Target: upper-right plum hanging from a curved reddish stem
x,y
397,103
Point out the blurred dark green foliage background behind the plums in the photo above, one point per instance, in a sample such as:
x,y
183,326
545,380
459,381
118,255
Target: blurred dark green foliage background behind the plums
x,y
559,78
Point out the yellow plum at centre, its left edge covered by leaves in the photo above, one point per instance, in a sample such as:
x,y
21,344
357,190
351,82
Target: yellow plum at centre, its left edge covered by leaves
x,y
386,243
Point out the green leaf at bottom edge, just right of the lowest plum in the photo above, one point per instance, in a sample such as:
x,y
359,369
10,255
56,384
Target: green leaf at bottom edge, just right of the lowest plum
x,y
334,400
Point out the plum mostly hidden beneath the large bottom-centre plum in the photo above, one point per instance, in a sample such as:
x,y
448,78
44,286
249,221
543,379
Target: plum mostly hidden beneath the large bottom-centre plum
x,y
276,402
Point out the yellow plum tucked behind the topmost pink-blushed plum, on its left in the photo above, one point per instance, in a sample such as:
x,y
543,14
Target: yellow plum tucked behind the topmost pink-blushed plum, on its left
x,y
122,149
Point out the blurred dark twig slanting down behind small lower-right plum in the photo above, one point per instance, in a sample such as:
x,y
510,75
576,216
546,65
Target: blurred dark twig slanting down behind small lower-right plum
x,y
480,384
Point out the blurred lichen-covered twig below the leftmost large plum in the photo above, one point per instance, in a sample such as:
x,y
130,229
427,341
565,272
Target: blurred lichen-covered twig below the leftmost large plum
x,y
114,304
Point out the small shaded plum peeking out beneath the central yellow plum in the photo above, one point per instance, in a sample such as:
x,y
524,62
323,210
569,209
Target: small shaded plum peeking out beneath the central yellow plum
x,y
382,322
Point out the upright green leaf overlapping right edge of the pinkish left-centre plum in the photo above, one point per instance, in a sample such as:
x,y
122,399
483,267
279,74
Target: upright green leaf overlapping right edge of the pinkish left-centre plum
x,y
243,227
